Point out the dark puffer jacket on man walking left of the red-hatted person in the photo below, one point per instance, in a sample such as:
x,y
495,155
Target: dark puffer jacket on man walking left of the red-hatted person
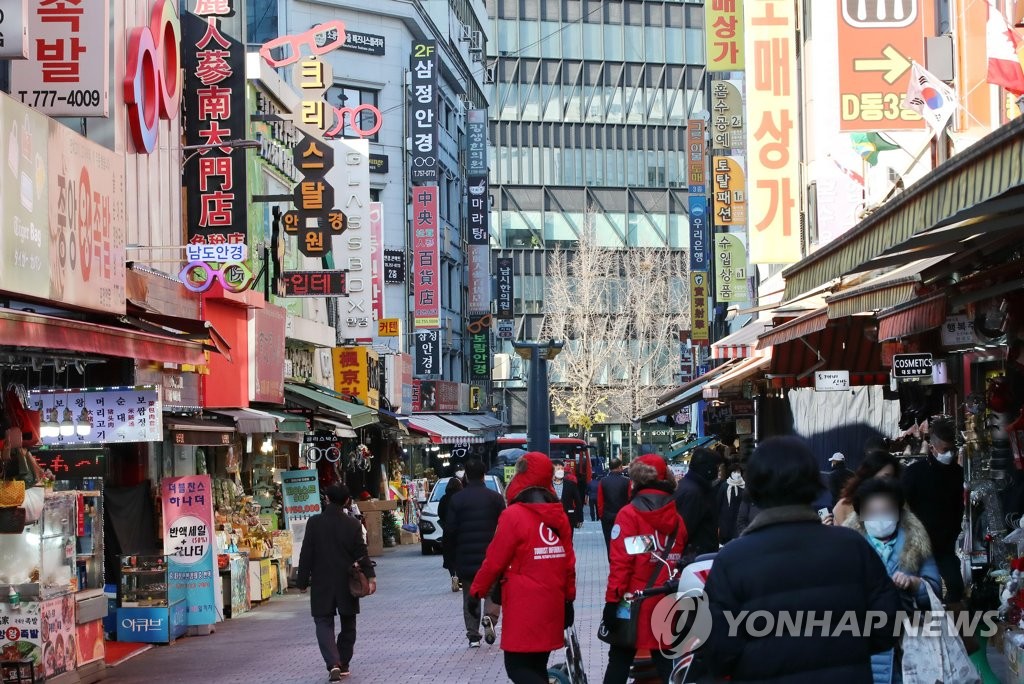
x,y
470,527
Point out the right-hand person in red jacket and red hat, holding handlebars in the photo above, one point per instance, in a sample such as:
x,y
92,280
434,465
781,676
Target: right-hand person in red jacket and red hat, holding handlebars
x,y
652,511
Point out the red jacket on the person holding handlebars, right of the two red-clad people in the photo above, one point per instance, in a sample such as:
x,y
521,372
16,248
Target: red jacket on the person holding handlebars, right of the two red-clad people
x,y
651,512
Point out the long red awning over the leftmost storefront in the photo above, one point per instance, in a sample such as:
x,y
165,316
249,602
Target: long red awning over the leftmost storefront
x,y
52,333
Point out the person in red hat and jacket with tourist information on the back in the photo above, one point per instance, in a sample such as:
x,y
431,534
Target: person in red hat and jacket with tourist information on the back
x,y
533,559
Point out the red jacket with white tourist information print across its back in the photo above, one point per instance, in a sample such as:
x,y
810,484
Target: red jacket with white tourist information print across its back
x,y
533,551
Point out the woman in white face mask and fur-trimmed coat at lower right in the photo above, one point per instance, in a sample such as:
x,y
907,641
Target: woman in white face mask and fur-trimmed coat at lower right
x,y
901,540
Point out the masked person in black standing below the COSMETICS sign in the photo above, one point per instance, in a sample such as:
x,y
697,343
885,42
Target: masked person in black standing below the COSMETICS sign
x,y
934,491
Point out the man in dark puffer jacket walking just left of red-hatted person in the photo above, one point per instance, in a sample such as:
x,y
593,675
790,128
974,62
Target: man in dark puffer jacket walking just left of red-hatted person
x,y
472,522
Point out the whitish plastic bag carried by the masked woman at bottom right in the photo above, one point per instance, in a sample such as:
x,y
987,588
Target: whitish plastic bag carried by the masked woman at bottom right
x,y
935,658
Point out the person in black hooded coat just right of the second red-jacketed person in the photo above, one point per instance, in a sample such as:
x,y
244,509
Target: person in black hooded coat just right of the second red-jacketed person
x,y
696,503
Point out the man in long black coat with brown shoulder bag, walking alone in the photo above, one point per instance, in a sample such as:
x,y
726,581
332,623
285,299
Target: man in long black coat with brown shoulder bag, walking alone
x,y
333,544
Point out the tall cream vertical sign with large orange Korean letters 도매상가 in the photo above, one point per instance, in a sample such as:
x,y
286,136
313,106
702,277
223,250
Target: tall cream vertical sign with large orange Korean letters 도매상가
x,y
773,167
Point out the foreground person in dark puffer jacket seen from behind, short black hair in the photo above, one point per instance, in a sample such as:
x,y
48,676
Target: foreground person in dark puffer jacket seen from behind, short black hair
x,y
789,565
